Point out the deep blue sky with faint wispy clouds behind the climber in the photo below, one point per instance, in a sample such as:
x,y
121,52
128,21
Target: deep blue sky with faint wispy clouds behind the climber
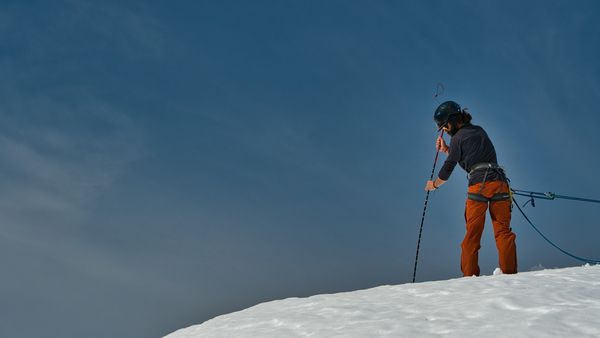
x,y
163,163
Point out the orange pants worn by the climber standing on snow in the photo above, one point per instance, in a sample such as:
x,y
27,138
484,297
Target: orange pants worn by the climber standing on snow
x,y
475,219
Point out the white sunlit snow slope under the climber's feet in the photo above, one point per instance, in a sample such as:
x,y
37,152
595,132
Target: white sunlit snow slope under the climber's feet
x,y
544,303
